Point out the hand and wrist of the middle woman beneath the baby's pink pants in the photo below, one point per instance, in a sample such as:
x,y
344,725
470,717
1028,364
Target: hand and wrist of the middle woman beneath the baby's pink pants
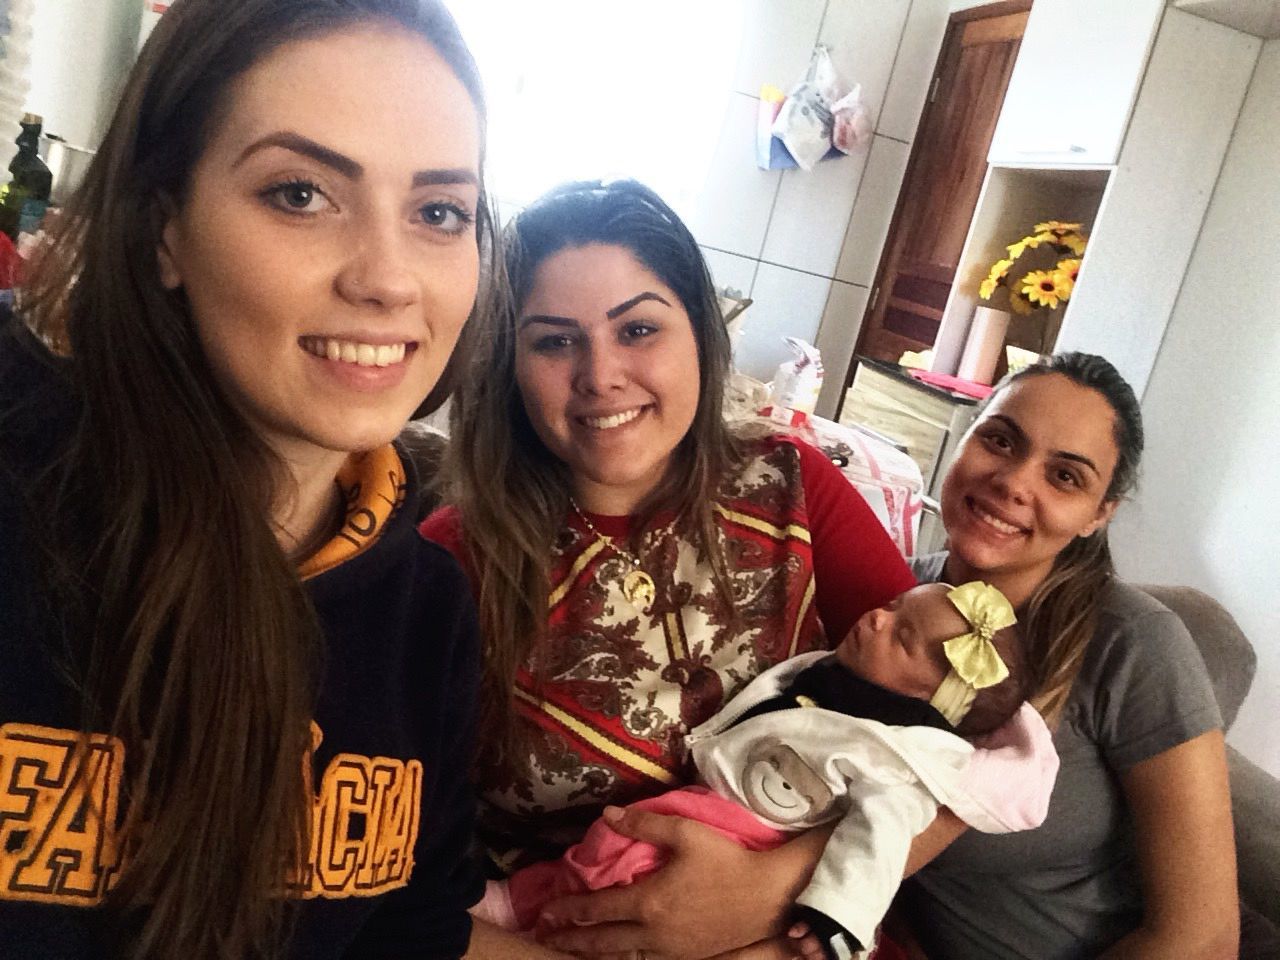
x,y
710,898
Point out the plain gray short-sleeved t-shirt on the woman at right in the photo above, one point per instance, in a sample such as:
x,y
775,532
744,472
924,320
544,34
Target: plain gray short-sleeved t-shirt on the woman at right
x,y
1071,889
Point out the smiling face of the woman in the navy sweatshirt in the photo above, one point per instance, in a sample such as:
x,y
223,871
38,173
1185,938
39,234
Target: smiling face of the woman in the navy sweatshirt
x,y
327,239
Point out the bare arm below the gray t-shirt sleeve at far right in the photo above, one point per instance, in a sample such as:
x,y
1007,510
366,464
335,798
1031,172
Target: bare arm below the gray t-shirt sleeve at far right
x,y
1182,815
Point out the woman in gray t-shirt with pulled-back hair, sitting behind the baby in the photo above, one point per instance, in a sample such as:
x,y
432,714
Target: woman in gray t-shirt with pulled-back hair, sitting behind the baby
x,y
1136,858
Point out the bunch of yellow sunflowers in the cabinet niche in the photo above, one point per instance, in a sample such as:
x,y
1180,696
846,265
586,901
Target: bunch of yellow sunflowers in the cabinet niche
x,y
1040,272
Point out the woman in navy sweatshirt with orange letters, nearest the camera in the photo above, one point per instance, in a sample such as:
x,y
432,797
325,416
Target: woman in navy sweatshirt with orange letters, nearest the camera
x,y
237,687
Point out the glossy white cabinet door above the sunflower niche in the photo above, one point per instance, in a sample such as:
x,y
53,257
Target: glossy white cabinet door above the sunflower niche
x,y
1073,88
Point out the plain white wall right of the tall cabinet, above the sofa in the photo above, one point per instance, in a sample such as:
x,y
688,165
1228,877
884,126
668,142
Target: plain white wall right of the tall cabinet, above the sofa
x,y
1209,511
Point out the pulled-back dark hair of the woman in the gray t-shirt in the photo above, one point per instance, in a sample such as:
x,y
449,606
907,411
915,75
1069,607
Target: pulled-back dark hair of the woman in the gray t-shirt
x,y
1062,615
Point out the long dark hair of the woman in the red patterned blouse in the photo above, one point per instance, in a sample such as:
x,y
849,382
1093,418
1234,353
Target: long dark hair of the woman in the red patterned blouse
x,y
511,492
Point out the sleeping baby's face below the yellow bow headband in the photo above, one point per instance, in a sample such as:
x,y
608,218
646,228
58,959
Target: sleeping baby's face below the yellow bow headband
x,y
899,647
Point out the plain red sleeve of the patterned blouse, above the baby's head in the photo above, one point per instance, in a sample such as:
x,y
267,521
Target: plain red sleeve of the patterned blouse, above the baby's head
x,y
857,566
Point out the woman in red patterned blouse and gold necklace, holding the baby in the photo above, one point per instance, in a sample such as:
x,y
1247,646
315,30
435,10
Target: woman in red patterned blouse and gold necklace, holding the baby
x,y
637,563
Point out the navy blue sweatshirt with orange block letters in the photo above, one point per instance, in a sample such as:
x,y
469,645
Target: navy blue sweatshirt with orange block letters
x,y
390,874
